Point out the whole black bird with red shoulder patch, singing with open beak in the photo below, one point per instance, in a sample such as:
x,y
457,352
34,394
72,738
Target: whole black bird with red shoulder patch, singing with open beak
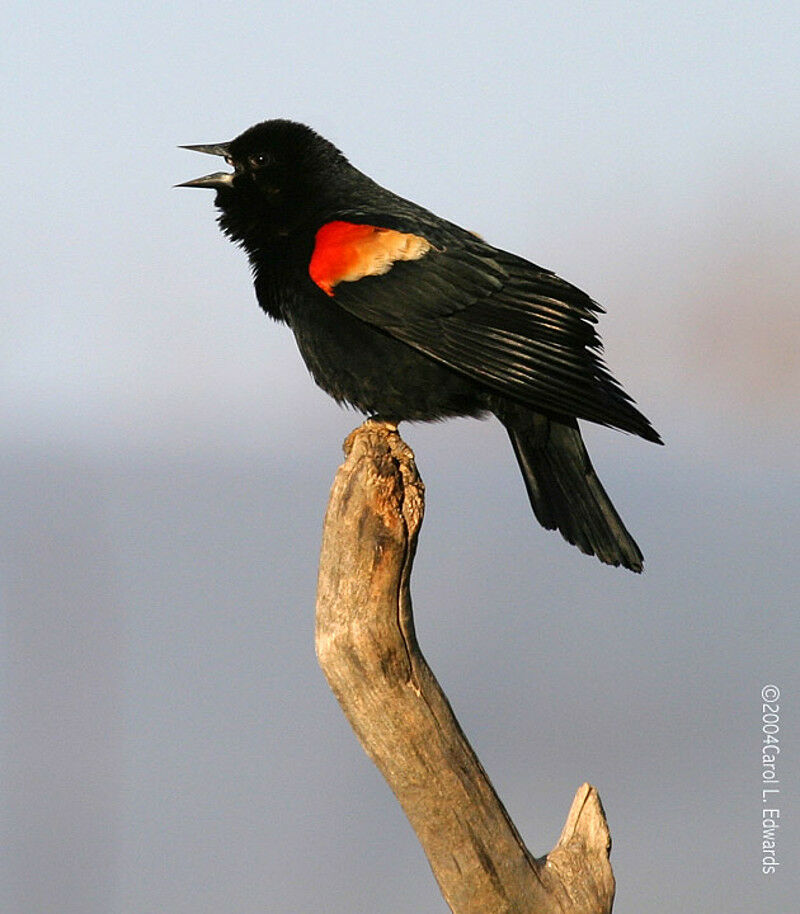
x,y
404,315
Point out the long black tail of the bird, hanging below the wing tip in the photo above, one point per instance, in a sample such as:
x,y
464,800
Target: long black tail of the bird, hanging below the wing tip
x,y
564,490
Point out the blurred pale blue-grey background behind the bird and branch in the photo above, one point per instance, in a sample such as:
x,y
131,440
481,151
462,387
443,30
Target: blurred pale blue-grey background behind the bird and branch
x,y
169,743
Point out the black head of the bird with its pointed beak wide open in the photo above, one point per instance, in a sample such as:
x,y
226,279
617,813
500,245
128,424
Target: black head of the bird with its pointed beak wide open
x,y
283,174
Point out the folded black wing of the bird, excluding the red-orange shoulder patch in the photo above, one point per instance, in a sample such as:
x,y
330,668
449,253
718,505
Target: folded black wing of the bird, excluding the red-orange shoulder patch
x,y
517,328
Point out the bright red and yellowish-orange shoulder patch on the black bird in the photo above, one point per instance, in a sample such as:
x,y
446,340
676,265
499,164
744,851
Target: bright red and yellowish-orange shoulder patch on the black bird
x,y
346,252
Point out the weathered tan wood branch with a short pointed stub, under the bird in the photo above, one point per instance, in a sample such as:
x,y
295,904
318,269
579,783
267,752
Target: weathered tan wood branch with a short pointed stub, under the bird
x,y
369,653
